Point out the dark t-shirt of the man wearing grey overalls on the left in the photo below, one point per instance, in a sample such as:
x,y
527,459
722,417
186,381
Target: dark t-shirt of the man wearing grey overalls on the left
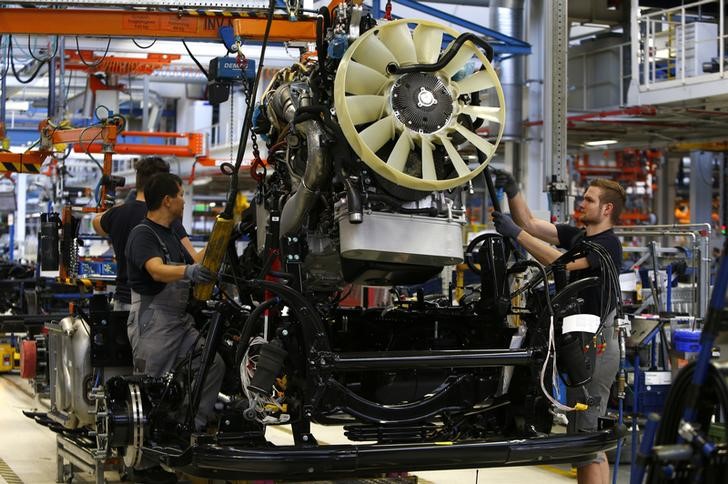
x,y
143,245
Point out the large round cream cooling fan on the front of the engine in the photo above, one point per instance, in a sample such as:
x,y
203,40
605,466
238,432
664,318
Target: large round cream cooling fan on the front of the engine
x,y
409,127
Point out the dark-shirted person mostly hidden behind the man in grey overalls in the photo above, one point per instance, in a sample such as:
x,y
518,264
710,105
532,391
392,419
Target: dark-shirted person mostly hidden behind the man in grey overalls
x,y
118,221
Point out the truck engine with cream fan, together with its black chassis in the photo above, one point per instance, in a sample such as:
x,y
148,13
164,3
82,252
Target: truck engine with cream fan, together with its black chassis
x,y
372,144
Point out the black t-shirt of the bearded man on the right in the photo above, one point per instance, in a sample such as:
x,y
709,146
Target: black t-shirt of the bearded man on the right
x,y
592,296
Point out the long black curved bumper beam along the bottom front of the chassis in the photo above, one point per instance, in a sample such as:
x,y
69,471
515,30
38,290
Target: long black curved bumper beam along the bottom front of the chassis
x,y
337,461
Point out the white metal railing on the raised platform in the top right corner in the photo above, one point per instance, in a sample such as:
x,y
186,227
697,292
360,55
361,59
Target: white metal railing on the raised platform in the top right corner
x,y
681,45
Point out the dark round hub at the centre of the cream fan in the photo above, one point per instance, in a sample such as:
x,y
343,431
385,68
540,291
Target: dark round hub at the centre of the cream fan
x,y
422,102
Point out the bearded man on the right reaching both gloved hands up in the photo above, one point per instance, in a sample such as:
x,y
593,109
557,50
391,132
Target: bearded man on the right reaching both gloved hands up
x,y
601,206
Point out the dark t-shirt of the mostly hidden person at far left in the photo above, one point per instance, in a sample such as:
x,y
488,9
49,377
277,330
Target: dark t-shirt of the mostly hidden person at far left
x,y
118,222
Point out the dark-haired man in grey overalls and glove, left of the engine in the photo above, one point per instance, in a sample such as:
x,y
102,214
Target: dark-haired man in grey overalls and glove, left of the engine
x,y
161,273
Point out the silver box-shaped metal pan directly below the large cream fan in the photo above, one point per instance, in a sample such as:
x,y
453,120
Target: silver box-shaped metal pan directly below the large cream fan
x,y
401,238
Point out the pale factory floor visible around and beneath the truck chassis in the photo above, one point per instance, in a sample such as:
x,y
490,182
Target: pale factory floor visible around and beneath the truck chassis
x,y
28,451
